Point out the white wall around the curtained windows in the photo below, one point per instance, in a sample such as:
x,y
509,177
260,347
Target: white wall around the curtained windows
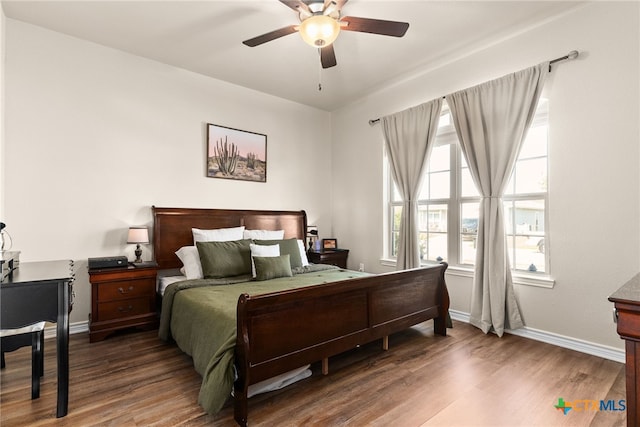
x,y
594,195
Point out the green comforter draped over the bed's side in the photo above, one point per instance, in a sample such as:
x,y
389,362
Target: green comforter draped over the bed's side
x,y
200,315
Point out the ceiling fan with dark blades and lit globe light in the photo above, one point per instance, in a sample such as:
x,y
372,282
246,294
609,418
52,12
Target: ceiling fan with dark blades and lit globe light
x,y
321,22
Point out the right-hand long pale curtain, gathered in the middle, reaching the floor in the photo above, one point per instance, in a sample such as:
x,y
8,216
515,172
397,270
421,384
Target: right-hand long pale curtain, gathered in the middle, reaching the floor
x,y
491,121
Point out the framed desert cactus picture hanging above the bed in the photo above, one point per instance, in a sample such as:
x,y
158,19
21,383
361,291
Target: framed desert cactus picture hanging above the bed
x,y
236,154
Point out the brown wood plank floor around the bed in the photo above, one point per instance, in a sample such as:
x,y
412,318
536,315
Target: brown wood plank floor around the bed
x,y
464,379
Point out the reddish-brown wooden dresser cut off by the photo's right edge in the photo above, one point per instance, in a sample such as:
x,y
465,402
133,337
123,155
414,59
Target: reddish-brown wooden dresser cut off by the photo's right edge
x,y
627,304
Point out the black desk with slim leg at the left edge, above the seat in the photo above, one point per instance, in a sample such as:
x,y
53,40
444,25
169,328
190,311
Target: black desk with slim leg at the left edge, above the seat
x,y
38,291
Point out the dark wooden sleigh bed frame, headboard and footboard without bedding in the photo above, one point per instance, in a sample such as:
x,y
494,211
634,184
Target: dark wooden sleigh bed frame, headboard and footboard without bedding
x,y
329,318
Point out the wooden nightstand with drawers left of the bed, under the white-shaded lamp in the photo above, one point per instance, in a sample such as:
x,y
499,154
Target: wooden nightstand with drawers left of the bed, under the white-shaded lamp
x,y
122,298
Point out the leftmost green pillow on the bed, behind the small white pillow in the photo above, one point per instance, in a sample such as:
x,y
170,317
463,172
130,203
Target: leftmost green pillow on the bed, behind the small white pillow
x,y
223,259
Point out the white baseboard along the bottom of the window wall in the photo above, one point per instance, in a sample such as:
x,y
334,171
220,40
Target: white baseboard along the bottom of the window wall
x,y
606,352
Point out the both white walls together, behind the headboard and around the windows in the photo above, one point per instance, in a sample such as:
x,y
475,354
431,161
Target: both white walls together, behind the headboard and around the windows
x,y
93,137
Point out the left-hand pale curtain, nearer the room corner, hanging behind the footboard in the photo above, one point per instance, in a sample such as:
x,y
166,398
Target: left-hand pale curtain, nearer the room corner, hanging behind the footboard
x,y
408,136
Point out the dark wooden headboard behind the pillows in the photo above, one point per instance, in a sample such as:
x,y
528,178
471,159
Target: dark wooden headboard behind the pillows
x,y
172,227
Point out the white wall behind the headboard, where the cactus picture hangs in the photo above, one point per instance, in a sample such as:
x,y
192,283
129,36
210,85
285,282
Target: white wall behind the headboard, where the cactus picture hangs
x,y
95,136
